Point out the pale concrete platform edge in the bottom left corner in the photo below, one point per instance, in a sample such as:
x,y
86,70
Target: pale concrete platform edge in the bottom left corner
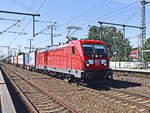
x,y
6,104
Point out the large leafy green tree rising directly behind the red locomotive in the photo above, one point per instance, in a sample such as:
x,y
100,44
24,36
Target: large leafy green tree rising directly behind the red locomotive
x,y
113,38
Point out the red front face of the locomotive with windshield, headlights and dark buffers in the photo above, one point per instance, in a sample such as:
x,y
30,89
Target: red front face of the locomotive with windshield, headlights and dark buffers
x,y
96,65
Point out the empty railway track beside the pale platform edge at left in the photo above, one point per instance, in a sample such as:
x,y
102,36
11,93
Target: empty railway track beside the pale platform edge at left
x,y
37,99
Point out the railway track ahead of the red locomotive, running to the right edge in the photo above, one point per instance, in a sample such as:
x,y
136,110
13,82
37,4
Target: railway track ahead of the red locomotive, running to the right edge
x,y
134,99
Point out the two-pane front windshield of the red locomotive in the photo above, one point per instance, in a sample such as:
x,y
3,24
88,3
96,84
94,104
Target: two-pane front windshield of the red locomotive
x,y
94,50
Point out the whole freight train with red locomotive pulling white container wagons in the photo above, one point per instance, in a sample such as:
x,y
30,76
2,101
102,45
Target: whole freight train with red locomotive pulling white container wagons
x,y
78,60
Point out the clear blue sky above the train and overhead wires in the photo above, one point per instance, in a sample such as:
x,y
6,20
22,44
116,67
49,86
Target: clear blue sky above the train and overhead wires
x,y
65,13
